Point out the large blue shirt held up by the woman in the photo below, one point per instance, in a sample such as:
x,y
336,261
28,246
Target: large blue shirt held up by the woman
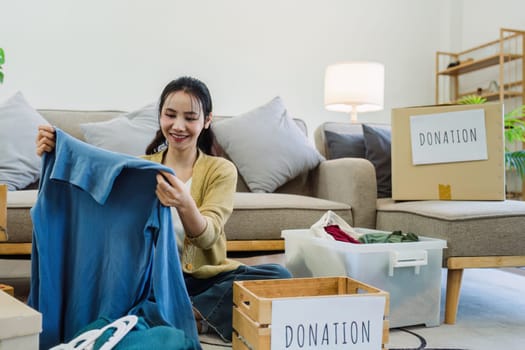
x,y
103,245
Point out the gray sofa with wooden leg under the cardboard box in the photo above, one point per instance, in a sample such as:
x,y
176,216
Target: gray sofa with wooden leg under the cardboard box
x,y
479,234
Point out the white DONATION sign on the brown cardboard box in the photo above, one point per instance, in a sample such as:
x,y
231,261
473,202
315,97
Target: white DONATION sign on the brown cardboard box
x,y
448,137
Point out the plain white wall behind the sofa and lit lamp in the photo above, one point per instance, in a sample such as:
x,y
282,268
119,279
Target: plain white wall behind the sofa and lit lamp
x,y
118,54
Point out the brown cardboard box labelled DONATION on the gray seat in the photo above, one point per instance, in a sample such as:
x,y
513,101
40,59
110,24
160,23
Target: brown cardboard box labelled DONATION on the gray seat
x,y
452,152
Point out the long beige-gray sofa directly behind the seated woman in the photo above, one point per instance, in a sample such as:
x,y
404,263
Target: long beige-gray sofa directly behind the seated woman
x,y
257,219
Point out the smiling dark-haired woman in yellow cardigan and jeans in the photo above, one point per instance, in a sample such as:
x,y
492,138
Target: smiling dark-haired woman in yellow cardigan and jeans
x,y
201,199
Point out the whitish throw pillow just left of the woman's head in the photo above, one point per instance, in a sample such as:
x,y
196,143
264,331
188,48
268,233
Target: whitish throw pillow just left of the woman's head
x,y
129,133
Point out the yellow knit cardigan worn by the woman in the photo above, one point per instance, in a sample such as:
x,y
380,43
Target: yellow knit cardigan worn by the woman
x,y
213,184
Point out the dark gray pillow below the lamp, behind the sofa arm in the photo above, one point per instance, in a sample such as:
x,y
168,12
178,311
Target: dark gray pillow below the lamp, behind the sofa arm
x,y
344,145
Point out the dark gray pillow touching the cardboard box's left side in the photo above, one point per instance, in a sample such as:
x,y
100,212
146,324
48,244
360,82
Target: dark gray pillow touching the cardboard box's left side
x,y
377,142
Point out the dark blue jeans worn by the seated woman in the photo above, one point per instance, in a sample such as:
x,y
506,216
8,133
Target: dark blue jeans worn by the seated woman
x,y
213,297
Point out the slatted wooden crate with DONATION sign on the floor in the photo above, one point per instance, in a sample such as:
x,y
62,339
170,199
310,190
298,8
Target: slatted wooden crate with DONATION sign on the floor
x,y
309,313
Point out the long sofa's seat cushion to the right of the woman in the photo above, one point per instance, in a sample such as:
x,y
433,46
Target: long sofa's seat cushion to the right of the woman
x,y
274,212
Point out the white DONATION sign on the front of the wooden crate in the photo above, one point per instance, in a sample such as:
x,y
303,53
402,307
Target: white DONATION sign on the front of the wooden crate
x,y
328,323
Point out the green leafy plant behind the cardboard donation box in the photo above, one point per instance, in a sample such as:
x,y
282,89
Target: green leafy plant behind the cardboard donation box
x,y
514,132
